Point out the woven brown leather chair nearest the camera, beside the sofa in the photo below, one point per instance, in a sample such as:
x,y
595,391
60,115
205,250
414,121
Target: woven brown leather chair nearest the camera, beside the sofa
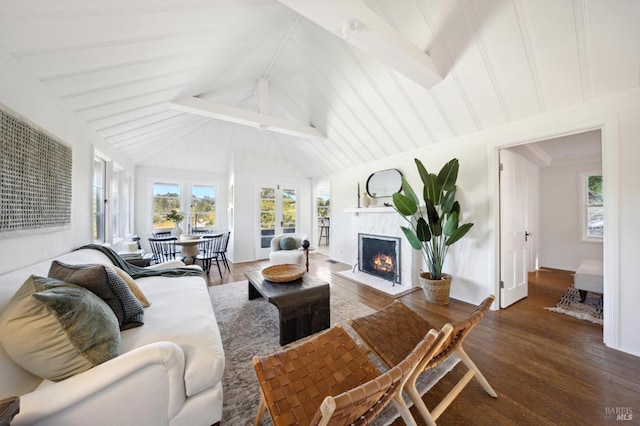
x,y
329,379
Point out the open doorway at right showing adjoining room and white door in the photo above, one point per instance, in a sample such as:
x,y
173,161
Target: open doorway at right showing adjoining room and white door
x,y
555,221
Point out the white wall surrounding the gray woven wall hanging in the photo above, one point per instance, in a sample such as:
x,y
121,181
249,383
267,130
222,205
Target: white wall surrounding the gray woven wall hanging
x,y
25,95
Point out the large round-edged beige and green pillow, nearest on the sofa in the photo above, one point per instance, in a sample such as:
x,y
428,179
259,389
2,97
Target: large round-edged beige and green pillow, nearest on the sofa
x,y
55,329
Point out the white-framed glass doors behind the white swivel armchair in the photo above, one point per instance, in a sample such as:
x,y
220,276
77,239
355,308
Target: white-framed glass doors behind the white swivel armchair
x,y
278,215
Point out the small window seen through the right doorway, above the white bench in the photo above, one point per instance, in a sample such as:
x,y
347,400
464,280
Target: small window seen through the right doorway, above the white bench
x,y
592,215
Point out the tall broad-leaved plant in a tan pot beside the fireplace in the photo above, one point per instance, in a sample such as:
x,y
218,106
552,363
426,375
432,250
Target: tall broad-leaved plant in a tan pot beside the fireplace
x,y
433,229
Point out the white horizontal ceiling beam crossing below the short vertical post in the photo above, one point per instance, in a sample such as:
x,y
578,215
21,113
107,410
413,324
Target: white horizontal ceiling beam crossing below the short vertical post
x,y
246,117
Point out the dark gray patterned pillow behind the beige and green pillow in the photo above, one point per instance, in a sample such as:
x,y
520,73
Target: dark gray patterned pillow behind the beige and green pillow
x,y
107,285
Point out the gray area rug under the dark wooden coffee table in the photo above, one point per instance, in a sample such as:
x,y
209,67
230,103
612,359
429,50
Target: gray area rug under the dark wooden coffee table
x,y
250,327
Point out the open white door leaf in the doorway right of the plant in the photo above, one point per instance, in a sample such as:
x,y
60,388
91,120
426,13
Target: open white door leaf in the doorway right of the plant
x,y
514,209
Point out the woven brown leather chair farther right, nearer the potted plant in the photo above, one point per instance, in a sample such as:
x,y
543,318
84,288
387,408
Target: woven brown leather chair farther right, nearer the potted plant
x,y
391,332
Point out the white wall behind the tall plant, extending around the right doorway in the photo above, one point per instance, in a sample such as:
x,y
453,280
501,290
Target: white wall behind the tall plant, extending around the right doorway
x,y
473,261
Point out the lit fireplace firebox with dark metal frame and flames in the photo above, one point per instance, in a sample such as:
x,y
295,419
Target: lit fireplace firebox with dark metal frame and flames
x,y
379,255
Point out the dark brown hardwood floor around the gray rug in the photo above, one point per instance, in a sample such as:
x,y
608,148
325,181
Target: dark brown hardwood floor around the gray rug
x,y
547,368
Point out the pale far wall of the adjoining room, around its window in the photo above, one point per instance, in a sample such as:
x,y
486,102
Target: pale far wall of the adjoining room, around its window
x,y
561,245
